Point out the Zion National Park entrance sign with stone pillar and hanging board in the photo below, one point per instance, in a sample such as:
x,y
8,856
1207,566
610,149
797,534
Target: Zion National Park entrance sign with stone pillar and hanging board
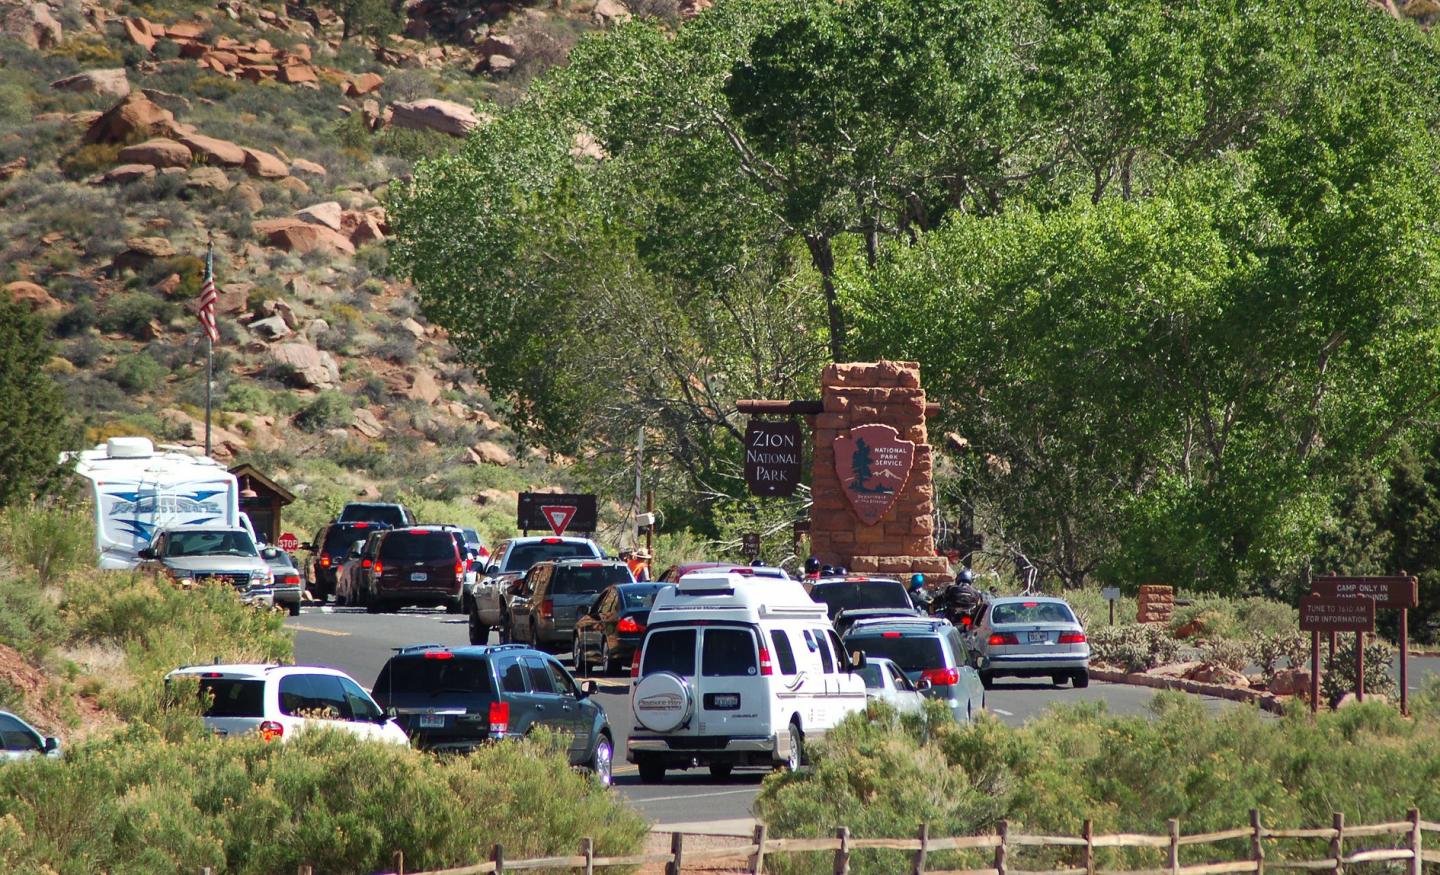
x,y
873,500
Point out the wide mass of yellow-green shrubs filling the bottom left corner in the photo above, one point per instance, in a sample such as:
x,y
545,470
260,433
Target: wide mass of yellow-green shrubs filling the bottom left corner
x,y
251,808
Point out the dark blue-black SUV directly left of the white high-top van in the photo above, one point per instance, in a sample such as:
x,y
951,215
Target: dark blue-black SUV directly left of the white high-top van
x,y
459,699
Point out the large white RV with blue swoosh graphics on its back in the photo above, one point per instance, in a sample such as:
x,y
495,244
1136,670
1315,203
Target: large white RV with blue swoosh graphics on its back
x,y
140,490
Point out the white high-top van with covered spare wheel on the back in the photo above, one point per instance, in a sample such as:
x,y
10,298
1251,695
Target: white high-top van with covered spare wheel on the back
x,y
738,668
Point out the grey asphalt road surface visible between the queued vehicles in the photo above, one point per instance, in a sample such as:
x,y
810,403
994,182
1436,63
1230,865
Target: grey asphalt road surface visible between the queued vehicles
x,y
359,644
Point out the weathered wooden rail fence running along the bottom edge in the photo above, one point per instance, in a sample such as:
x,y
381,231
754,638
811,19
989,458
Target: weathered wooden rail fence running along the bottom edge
x,y
1409,857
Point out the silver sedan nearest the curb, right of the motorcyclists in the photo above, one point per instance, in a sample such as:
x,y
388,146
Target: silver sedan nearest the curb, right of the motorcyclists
x,y
1030,637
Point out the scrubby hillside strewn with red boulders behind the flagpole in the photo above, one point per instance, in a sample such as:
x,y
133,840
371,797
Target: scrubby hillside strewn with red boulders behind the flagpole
x,y
132,135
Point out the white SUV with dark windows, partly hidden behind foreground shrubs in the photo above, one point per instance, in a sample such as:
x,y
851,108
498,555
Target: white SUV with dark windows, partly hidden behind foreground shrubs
x,y
279,702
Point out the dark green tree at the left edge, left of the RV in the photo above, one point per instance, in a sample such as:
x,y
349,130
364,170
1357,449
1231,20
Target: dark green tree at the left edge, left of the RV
x,y
32,431
